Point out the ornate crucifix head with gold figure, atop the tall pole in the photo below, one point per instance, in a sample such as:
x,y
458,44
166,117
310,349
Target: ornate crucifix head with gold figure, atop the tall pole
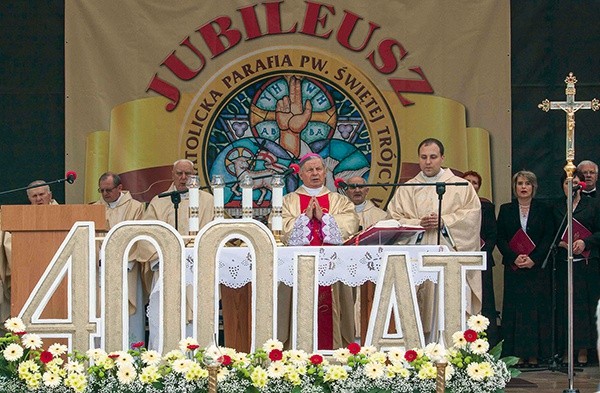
x,y
570,106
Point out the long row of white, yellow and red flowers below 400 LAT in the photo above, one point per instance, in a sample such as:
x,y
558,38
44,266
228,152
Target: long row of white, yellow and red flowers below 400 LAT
x,y
25,366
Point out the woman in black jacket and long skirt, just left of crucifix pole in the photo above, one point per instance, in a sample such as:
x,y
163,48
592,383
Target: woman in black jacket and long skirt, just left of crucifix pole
x,y
526,312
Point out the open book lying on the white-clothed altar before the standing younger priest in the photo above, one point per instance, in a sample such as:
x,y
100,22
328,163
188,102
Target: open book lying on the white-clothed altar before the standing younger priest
x,y
386,232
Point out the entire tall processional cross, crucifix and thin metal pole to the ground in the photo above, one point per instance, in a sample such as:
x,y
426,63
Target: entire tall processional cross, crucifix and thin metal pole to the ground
x,y
570,106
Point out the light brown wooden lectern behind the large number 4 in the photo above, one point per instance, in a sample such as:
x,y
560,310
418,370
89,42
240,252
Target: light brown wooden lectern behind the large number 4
x,y
37,233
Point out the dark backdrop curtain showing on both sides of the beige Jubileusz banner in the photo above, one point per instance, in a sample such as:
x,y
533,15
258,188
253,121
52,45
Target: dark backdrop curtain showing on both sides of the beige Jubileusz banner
x,y
549,39
